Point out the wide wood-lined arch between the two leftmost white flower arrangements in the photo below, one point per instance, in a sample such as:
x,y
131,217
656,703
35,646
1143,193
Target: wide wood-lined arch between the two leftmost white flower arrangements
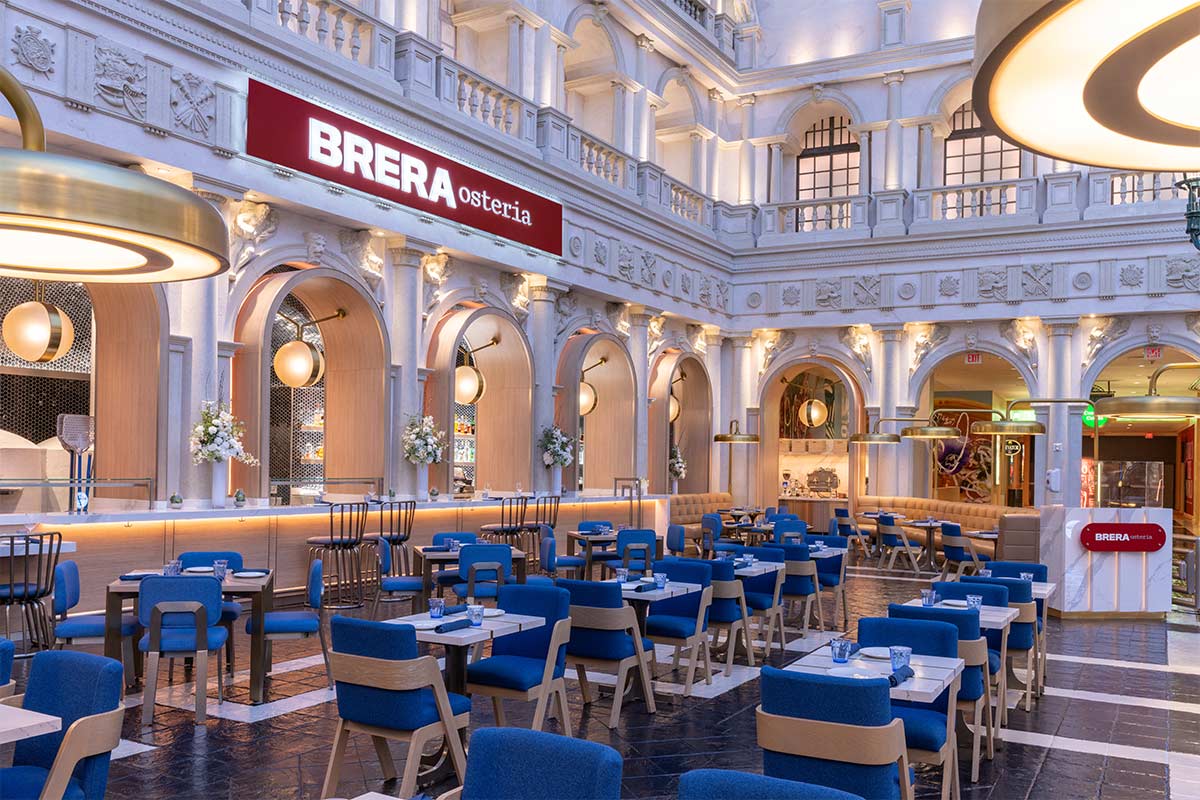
x,y
334,431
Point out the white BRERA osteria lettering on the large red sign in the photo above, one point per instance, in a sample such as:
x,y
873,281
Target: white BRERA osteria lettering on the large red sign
x,y
382,165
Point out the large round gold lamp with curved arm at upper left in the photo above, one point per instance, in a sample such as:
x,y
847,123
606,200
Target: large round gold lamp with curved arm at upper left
x,y
67,219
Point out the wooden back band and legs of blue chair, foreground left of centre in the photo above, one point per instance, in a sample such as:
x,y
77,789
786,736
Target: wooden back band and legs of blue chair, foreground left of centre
x,y
397,676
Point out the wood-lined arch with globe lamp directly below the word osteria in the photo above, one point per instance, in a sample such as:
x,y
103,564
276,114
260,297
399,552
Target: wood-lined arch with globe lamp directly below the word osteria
x,y
491,440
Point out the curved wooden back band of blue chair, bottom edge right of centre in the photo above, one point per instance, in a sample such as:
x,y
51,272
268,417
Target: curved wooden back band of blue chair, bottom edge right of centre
x,y
836,742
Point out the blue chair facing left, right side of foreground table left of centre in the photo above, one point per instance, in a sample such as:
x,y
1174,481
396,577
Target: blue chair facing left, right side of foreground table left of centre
x,y
529,666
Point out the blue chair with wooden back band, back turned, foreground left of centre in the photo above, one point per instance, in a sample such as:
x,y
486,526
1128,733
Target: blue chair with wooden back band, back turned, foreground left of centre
x,y
387,691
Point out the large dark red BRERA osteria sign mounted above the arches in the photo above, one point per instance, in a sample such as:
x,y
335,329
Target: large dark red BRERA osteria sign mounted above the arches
x,y
292,133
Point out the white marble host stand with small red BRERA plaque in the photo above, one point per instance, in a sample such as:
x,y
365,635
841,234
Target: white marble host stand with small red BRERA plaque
x,y
1108,562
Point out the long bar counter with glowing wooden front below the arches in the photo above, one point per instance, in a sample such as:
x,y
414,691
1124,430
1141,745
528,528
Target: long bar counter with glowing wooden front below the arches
x,y
112,544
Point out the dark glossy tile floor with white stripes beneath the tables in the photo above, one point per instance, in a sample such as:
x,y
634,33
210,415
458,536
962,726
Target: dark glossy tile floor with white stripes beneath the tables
x,y
1120,719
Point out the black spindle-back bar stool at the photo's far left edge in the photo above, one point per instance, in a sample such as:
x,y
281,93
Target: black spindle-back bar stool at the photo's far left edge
x,y
27,581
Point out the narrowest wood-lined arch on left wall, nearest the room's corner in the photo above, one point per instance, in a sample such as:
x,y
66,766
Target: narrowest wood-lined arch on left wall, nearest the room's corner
x,y
686,424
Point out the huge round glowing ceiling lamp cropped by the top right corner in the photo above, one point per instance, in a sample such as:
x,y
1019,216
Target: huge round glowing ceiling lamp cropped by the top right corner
x,y
1096,82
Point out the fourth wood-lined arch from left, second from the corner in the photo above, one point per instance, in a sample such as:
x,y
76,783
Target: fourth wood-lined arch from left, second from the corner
x,y
603,422
